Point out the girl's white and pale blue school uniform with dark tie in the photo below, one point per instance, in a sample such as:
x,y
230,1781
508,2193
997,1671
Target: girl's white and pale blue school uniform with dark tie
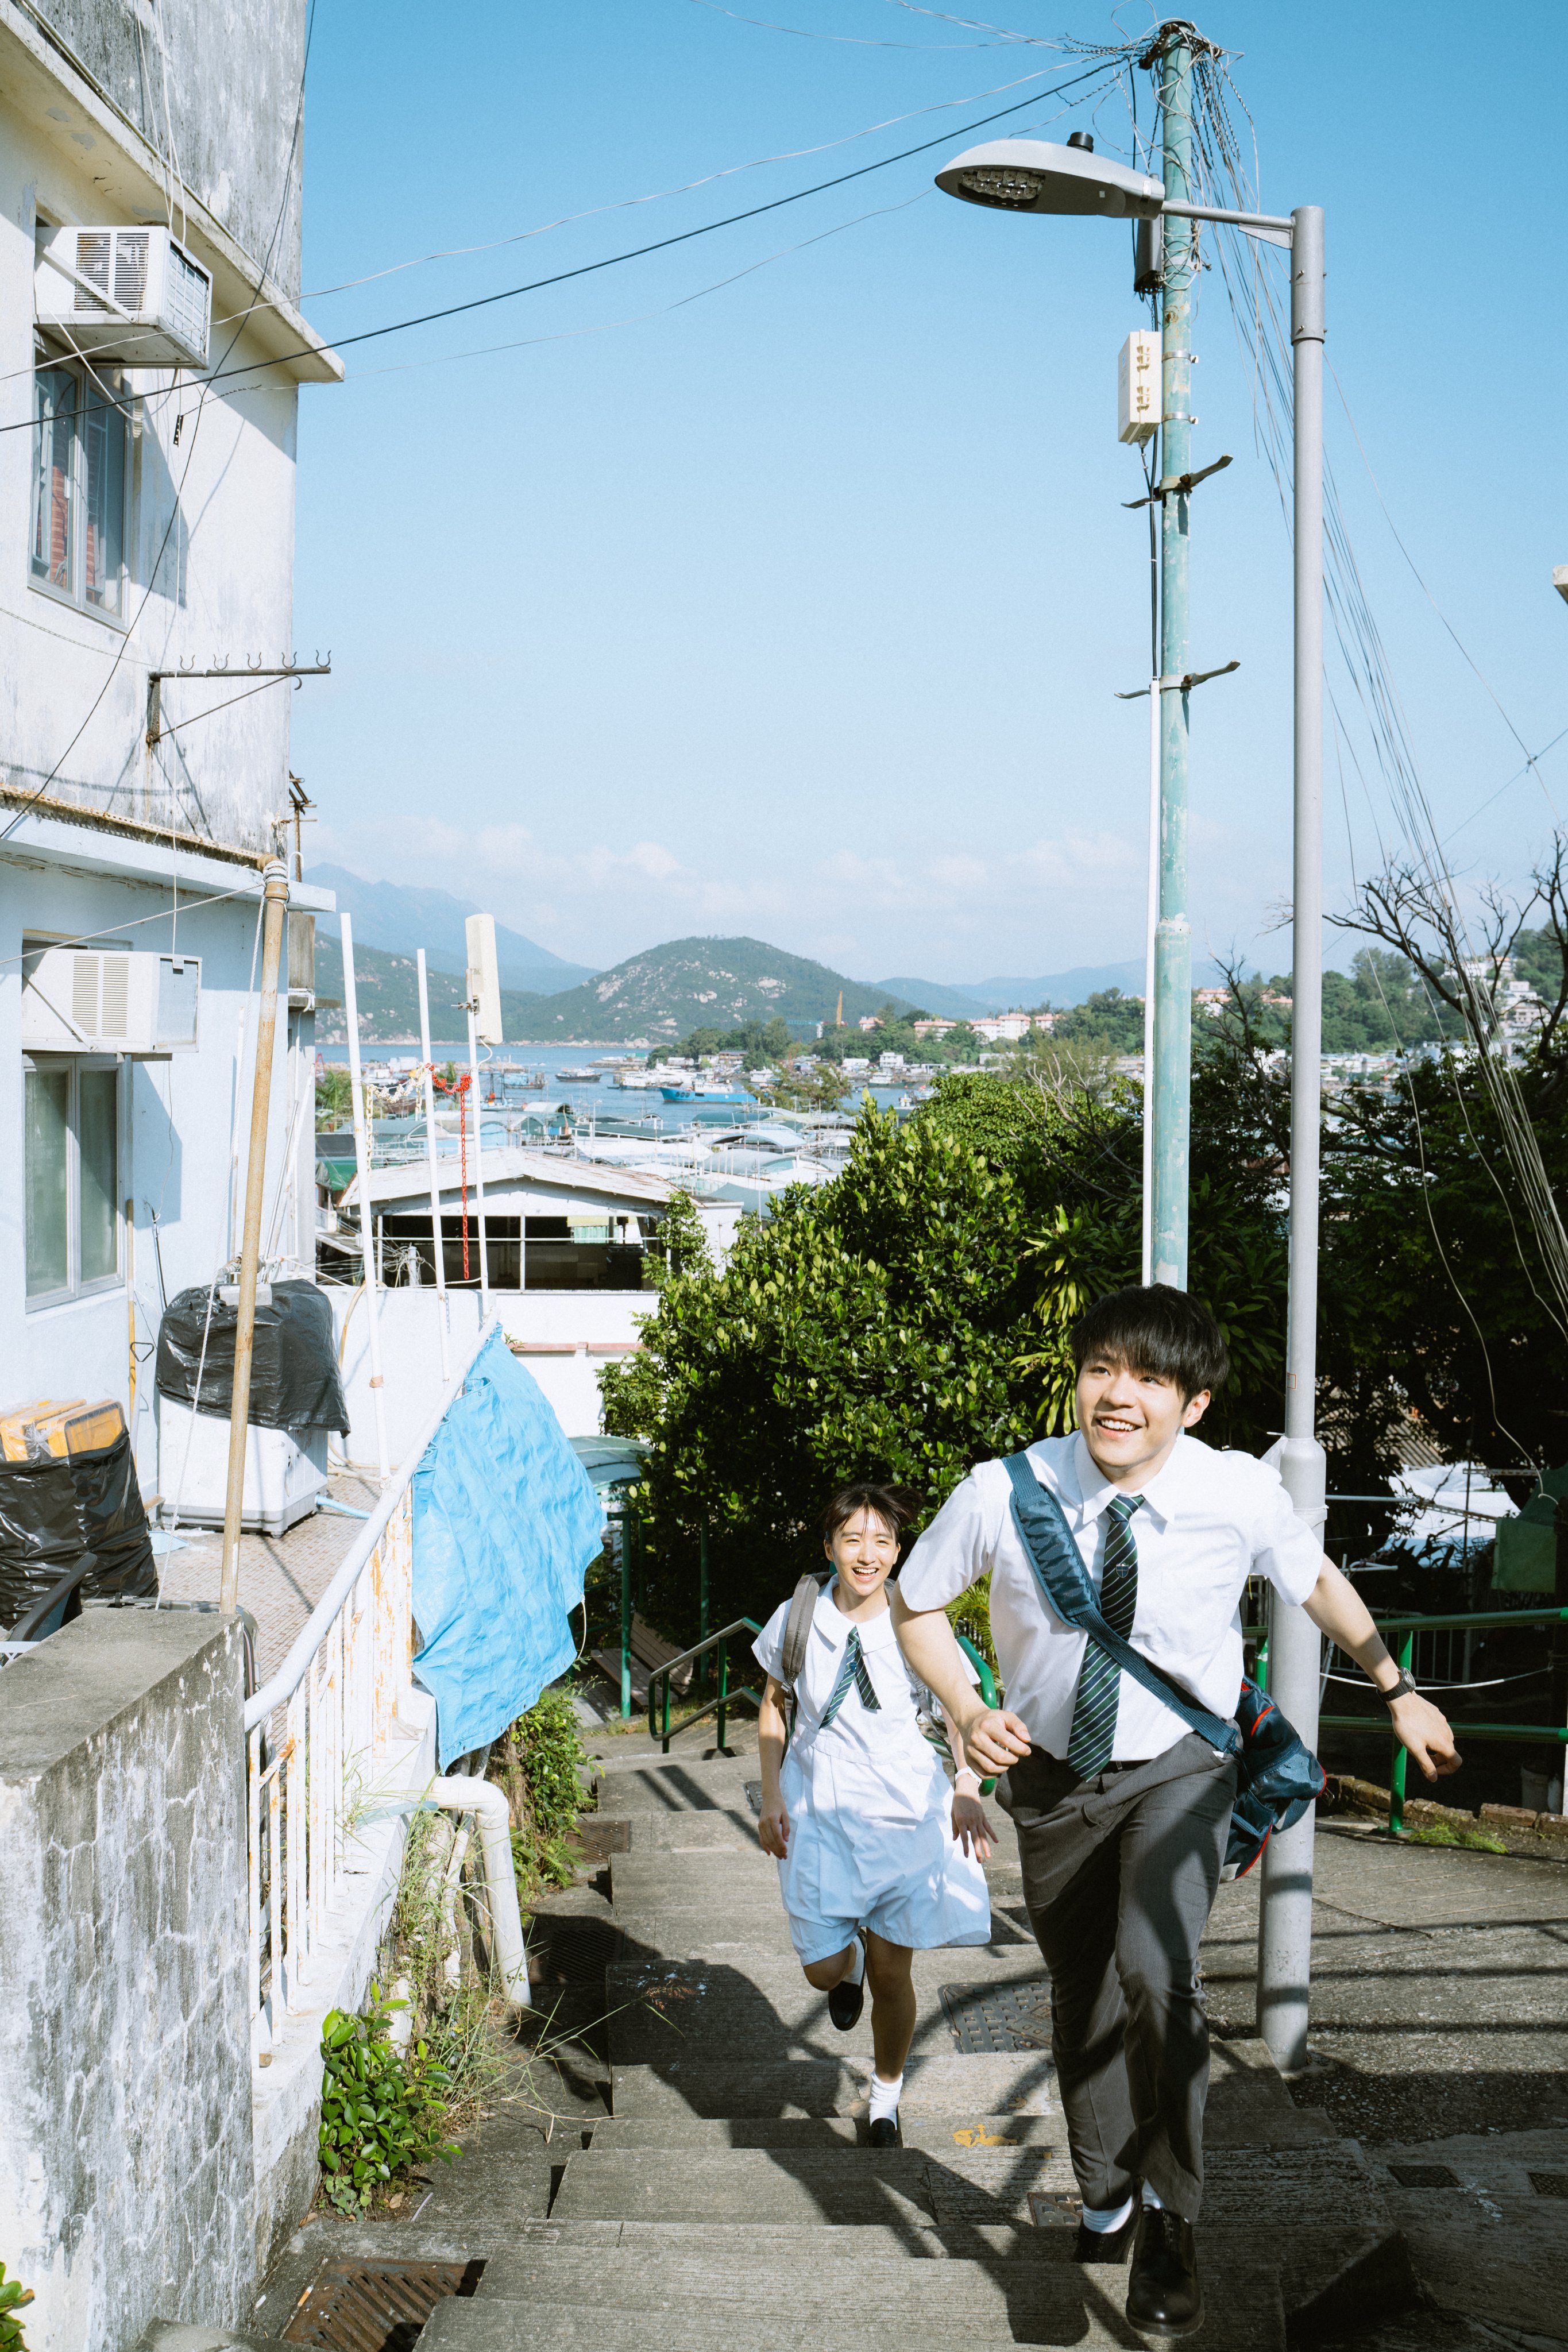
x,y
869,1800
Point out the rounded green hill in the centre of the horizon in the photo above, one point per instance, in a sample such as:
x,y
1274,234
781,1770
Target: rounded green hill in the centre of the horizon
x,y
699,984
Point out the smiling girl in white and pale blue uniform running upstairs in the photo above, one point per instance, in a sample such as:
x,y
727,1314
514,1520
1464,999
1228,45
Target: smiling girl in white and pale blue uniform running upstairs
x,y
876,1855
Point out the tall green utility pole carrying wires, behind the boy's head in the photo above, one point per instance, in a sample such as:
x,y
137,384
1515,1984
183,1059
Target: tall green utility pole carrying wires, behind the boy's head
x,y
1172,1093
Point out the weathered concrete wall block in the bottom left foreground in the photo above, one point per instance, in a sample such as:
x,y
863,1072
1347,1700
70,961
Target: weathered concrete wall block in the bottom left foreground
x,y
126,2158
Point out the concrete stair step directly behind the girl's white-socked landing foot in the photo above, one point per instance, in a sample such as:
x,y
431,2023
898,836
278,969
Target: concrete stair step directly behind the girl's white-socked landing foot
x,y
946,2087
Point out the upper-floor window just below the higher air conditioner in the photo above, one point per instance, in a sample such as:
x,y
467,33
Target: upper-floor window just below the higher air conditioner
x,y
79,488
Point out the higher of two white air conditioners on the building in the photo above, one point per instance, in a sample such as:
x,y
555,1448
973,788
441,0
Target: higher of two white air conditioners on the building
x,y
128,295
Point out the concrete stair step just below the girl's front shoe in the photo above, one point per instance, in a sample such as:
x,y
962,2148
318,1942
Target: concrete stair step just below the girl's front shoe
x,y
749,2184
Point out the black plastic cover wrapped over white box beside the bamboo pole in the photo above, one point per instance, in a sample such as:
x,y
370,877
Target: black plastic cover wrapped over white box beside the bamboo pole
x,y
295,1365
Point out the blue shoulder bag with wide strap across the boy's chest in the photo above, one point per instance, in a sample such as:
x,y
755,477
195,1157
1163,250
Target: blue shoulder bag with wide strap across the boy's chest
x,y
1278,1777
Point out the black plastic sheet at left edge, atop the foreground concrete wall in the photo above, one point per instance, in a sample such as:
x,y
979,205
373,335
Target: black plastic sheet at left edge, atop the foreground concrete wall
x,y
58,1511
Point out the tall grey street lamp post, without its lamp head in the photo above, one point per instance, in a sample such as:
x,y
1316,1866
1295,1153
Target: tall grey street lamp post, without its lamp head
x,y
1285,1923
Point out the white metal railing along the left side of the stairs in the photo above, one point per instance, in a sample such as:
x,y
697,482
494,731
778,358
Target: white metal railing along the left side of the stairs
x,y
321,1739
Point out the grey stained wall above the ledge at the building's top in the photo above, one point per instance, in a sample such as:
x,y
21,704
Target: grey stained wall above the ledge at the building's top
x,y
215,88
